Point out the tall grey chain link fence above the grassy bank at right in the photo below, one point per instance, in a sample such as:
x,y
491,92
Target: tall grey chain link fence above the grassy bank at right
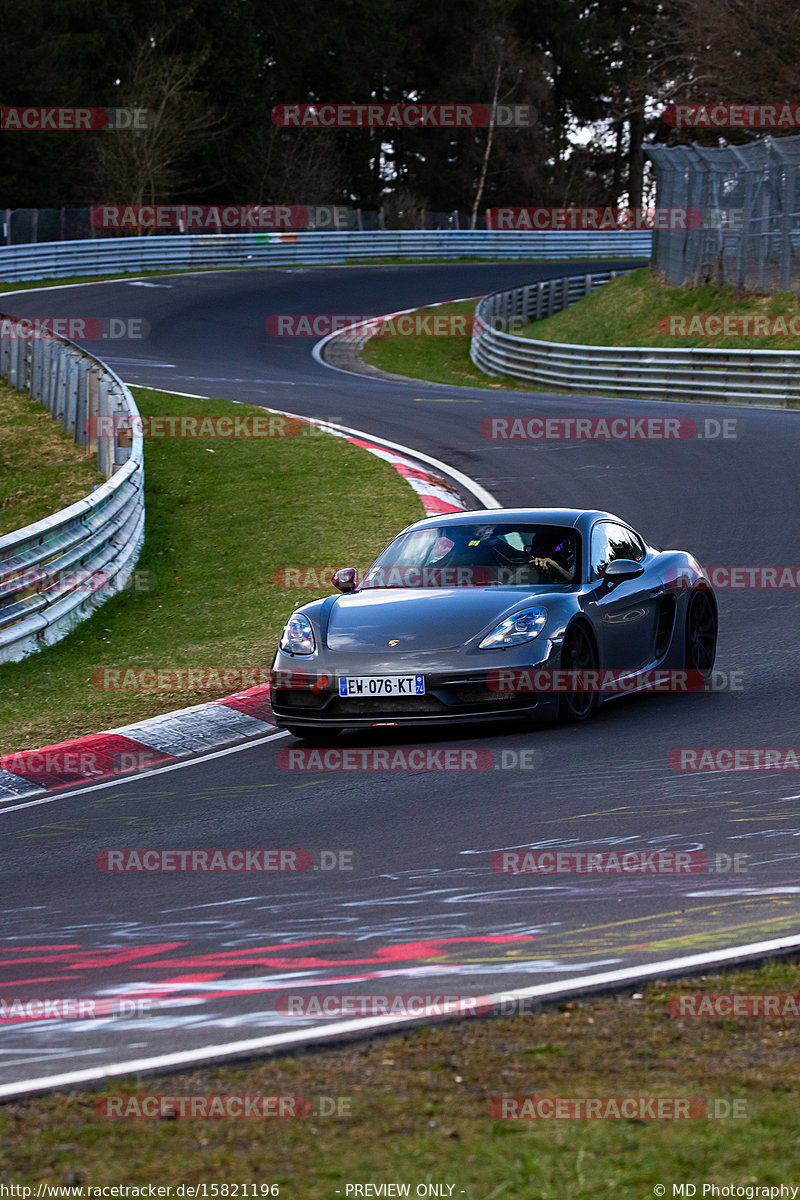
x,y
744,215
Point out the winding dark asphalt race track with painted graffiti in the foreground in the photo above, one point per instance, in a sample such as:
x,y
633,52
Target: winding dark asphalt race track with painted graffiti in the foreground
x,y
420,910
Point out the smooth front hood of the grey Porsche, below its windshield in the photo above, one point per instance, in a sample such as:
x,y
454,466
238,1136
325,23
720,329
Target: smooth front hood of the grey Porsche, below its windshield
x,y
420,619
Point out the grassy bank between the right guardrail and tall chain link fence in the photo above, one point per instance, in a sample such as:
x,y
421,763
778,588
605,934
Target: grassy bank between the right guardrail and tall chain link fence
x,y
627,313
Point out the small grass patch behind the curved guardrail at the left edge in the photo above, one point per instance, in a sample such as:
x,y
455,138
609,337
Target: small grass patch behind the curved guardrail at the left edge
x,y
41,467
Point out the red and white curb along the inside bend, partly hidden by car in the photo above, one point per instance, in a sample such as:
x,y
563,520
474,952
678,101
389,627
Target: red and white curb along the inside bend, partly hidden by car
x,y
172,737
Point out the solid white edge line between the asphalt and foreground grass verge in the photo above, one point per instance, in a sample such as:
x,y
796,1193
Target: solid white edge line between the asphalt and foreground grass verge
x,y
274,1042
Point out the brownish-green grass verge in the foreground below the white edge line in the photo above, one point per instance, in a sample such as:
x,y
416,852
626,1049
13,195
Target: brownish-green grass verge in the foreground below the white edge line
x,y
416,1109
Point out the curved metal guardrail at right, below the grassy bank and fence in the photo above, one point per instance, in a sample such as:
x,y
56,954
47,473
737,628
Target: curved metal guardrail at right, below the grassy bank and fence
x,y
639,371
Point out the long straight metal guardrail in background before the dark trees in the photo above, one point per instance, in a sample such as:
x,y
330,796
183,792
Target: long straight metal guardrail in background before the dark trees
x,y
111,256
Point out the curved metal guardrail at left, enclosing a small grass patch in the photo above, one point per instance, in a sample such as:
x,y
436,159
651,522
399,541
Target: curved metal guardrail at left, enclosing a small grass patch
x,y
57,572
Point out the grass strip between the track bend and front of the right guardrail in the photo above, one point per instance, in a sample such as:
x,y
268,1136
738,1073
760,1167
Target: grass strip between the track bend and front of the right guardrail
x,y
443,361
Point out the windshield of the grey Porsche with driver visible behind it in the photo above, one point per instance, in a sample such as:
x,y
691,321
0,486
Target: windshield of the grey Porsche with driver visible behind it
x,y
484,555
